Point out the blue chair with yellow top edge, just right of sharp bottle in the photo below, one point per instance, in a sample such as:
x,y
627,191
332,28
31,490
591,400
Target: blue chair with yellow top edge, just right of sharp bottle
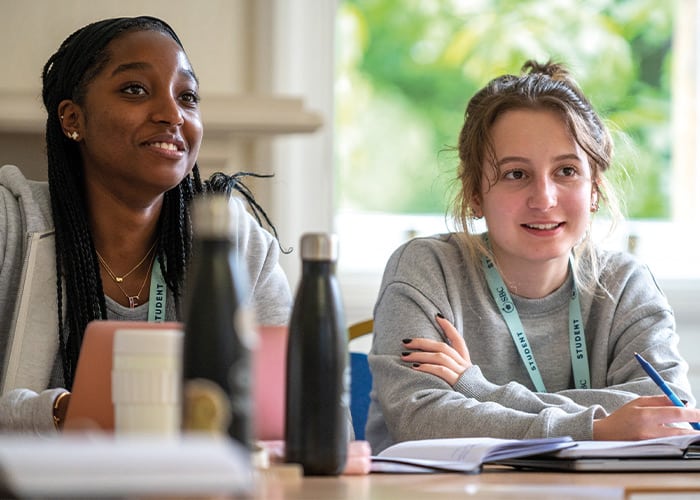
x,y
360,379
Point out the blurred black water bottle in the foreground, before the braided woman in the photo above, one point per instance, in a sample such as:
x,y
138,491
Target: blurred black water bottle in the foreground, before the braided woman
x,y
219,330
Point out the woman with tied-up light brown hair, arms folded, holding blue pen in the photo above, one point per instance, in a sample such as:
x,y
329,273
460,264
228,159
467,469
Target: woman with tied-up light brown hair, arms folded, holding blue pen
x,y
527,330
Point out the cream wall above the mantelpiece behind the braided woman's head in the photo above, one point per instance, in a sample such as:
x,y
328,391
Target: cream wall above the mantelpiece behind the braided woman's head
x,y
215,33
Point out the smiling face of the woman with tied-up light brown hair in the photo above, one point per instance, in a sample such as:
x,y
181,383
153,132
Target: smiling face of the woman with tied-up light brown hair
x,y
537,203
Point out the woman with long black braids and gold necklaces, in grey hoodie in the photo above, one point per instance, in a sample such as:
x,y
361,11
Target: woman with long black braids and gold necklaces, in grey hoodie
x,y
112,224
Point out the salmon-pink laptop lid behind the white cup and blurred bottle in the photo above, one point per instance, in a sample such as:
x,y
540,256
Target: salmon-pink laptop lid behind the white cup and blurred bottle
x,y
91,399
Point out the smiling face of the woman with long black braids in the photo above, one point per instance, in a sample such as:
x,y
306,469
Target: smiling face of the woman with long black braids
x,y
139,125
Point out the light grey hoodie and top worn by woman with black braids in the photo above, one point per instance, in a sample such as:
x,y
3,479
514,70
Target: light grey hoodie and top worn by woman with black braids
x,y
28,298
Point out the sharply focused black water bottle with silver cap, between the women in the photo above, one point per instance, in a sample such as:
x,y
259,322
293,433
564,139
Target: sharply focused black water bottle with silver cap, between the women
x,y
316,426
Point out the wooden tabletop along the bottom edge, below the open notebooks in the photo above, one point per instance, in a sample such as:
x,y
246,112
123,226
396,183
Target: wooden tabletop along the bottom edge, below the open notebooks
x,y
285,482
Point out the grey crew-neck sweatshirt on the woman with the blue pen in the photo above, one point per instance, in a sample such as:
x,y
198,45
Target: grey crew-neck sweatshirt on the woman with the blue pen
x,y
495,397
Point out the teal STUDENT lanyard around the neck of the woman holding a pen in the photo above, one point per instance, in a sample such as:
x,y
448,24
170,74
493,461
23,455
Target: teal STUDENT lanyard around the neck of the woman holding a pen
x,y
577,337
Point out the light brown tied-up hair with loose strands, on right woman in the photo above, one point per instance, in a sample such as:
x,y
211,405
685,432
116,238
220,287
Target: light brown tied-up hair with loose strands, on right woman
x,y
540,86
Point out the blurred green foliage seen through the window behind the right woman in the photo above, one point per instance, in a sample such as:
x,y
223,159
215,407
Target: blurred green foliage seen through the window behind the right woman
x,y
408,67
